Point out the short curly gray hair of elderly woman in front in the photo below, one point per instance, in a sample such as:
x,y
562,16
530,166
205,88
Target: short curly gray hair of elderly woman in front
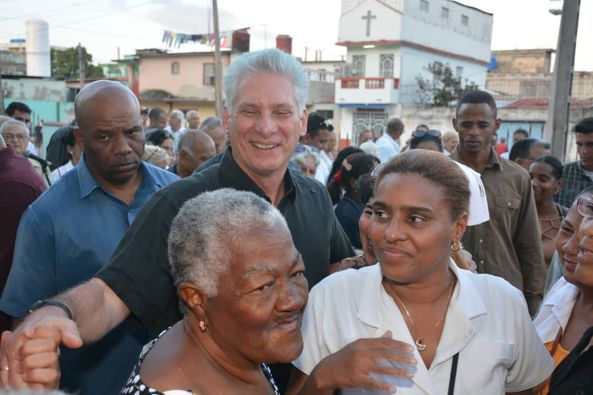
x,y
208,228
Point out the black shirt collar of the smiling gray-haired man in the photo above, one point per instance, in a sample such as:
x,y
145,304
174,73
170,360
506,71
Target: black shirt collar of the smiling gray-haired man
x,y
231,175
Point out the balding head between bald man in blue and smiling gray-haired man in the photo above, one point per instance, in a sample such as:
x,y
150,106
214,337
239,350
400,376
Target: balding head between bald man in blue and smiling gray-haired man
x,y
195,148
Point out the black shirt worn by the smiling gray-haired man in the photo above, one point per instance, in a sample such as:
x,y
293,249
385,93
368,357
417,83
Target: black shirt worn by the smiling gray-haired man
x,y
139,269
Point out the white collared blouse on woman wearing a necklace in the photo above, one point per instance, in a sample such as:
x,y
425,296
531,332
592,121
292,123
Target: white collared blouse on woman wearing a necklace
x,y
487,323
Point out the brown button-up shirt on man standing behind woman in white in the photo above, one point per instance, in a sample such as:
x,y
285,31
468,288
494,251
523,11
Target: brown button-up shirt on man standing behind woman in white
x,y
509,245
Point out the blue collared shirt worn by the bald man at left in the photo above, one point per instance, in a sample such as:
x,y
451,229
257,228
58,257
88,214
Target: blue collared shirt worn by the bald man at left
x,y
64,238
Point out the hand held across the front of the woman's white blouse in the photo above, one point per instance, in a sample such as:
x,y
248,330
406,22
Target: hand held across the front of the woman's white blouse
x,y
364,360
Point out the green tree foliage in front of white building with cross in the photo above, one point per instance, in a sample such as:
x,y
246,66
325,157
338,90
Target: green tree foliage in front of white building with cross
x,y
443,88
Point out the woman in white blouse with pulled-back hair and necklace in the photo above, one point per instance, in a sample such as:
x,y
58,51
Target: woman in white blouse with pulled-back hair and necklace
x,y
415,316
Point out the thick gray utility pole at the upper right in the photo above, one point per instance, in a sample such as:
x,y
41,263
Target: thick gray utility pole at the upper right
x,y
559,106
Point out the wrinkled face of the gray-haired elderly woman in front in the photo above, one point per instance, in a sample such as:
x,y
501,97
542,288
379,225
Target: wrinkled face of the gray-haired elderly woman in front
x,y
258,311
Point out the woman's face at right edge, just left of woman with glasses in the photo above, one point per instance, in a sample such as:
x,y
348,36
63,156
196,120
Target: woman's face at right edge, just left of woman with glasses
x,y
567,243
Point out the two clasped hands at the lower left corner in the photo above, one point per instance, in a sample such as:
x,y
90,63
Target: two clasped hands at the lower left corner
x,y
26,359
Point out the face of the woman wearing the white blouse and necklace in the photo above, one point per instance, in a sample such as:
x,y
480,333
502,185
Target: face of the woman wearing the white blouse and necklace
x,y
411,228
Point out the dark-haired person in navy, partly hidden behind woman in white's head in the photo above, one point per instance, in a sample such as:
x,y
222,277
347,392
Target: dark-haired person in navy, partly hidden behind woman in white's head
x,y
350,207
